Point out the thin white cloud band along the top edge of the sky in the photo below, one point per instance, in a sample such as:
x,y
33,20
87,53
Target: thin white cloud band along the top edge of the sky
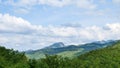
x,y
86,4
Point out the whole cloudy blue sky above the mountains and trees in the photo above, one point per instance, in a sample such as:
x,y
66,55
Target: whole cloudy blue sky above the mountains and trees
x,y
46,20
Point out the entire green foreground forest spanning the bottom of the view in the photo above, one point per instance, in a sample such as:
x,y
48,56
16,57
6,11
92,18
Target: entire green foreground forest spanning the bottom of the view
x,y
108,57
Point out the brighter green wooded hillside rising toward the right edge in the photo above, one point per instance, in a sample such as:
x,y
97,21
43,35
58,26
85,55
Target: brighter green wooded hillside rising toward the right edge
x,y
108,57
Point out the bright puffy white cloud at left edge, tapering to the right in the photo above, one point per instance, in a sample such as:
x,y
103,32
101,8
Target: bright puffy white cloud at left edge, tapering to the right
x,y
12,24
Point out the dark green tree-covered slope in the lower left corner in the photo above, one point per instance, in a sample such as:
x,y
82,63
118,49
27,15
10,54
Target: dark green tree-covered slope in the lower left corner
x,y
12,59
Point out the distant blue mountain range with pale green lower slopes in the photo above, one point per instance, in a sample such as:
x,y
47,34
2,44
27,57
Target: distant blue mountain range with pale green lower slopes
x,y
68,51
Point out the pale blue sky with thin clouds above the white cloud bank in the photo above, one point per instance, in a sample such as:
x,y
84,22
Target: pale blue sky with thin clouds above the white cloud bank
x,y
105,11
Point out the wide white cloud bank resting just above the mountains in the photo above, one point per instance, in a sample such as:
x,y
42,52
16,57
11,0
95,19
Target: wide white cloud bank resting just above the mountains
x,y
18,33
